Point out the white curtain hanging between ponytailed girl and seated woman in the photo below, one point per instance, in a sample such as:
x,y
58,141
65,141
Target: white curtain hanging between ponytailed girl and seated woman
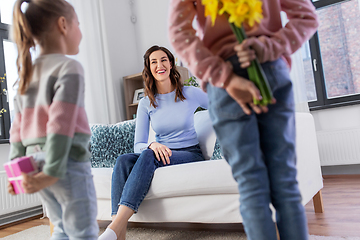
x,y
92,57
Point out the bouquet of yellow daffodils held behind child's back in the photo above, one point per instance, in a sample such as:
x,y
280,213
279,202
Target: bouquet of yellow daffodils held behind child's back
x,y
238,13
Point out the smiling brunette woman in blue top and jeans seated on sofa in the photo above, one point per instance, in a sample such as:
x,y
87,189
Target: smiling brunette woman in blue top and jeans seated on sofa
x,y
169,107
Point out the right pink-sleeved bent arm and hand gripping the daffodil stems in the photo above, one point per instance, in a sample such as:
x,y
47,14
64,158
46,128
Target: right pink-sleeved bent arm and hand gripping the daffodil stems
x,y
302,24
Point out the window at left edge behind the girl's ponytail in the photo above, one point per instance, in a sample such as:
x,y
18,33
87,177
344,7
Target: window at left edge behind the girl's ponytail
x,y
8,72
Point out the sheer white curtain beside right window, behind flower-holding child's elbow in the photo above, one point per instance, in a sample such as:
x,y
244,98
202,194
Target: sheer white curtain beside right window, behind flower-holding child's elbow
x,y
298,77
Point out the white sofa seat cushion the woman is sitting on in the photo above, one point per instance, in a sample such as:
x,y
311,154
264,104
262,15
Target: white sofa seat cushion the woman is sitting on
x,y
188,179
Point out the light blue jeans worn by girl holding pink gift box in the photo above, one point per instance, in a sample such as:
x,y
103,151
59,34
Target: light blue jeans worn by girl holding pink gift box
x,y
71,204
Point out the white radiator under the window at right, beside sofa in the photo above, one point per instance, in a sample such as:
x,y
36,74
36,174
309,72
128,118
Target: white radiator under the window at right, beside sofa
x,y
339,147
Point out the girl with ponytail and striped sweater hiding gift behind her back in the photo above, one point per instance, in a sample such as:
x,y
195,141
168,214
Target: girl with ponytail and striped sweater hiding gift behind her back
x,y
50,115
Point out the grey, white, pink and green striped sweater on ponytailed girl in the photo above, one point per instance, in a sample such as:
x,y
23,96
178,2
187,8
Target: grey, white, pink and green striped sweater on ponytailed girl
x,y
51,115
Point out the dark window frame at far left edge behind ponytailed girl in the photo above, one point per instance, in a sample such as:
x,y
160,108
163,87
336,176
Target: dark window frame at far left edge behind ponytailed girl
x,y
5,119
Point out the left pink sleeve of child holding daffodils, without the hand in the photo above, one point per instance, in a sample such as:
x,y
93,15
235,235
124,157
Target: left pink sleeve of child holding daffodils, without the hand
x,y
198,58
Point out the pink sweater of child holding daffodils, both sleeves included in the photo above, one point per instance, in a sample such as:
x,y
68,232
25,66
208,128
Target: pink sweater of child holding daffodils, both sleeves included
x,y
203,50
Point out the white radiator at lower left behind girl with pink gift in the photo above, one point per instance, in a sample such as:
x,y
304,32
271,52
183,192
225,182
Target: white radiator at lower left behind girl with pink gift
x,y
14,208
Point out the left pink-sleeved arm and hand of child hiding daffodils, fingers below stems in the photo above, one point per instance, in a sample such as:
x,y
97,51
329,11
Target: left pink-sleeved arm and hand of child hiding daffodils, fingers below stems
x,y
202,62
